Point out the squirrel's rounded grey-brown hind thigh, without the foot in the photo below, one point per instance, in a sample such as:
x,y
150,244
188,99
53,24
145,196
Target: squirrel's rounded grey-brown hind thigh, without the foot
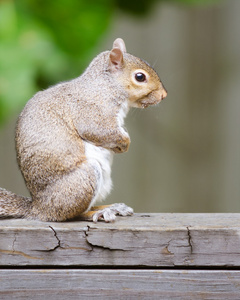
x,y
67,197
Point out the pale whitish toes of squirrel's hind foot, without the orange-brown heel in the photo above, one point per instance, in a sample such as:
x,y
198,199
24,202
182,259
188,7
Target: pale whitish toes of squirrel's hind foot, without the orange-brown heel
x,y
108,214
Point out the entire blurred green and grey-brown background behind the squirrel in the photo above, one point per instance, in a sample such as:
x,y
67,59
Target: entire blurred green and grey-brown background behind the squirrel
x,y
185,153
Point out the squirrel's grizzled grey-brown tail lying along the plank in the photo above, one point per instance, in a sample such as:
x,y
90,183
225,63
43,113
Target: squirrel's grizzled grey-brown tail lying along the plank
x,y
13,206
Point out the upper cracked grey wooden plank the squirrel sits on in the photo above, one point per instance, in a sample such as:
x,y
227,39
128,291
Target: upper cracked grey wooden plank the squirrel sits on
x,y
154,240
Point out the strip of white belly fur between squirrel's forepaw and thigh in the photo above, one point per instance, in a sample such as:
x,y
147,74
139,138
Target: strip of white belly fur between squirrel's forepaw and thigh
x,y
101,159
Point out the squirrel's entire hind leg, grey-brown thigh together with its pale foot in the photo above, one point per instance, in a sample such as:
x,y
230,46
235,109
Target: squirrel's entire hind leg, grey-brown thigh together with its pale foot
x,y
72,196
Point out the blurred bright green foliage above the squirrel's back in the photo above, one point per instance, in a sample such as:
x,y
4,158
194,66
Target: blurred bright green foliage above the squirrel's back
x,y
43,42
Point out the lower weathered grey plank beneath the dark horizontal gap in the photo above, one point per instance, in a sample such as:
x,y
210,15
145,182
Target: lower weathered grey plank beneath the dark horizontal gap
x,y
119,284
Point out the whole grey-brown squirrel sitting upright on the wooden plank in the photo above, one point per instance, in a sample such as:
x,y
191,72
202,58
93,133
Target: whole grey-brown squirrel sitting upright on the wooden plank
x,y
66,136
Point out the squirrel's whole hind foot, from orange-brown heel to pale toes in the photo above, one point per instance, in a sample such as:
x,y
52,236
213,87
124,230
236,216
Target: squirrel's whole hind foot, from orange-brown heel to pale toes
x,y
107,212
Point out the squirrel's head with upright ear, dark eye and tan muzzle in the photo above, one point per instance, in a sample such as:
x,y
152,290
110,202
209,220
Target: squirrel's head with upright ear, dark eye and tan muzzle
x,y
136,76
